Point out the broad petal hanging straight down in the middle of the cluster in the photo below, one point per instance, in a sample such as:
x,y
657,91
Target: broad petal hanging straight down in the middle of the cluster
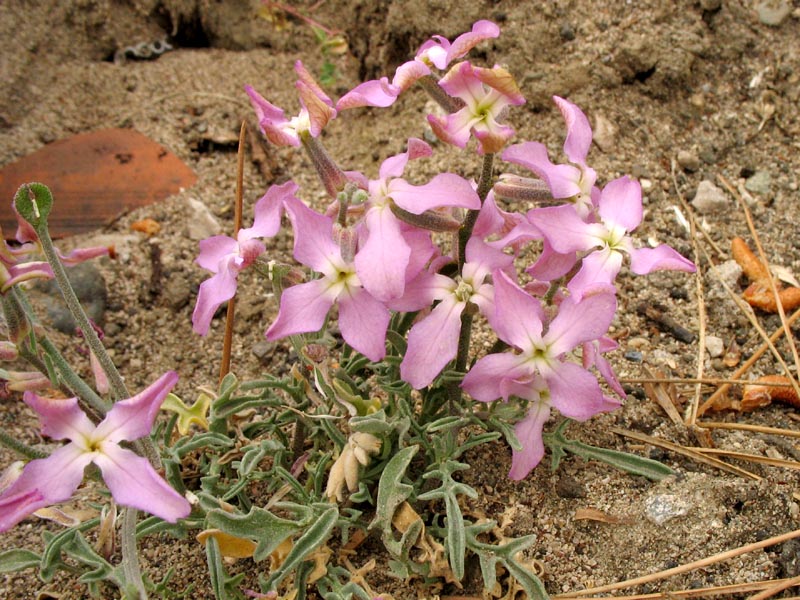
x,y
382,260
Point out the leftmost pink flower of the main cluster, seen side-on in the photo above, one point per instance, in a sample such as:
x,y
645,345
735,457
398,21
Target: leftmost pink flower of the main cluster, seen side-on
x,y
225,257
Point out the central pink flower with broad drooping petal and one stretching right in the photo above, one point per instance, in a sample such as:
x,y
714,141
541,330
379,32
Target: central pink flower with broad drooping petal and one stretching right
x,y
385,253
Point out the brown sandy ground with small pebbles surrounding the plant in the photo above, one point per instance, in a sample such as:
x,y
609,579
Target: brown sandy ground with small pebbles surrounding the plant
x,y
678,93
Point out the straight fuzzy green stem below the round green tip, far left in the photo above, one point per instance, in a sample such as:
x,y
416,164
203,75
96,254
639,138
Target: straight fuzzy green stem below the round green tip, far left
x,y
118,388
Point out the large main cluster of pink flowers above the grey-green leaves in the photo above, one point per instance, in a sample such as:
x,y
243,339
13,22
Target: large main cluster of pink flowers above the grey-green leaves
x,y
375,251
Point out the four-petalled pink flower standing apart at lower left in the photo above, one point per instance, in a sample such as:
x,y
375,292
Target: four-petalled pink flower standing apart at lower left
x,y
130,478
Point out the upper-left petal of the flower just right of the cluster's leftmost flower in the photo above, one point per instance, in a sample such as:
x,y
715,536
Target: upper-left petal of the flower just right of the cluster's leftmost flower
x,y
313,244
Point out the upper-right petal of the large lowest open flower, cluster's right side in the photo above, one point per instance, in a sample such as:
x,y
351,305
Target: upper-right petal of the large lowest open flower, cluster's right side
x,y
578,322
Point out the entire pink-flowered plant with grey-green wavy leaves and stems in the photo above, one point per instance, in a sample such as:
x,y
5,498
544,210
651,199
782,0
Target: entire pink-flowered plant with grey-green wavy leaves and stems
x,y
366,433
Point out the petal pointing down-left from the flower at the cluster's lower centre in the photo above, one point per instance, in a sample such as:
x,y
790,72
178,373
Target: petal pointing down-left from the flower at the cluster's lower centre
x,y
432,343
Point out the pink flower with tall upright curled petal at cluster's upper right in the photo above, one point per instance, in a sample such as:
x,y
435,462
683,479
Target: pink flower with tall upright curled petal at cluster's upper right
x,y
573,181
